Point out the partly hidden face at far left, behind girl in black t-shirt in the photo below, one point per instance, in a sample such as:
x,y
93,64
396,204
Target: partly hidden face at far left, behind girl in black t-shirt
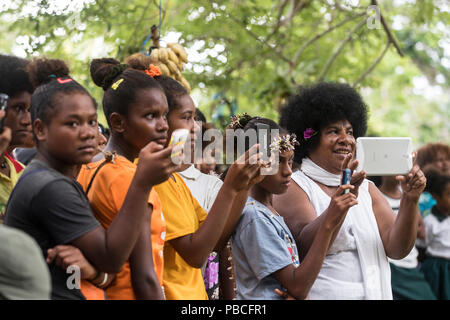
x,y
18,119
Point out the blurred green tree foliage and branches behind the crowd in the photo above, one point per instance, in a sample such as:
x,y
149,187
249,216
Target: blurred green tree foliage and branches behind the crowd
x,y
250,56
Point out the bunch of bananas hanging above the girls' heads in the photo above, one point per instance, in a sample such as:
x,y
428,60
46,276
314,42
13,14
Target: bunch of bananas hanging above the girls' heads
x,y
170,61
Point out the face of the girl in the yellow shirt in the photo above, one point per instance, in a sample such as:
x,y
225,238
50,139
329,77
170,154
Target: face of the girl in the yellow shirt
x,y
183,117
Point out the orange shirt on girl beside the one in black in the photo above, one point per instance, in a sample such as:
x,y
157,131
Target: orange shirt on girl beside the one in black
x,y
106,196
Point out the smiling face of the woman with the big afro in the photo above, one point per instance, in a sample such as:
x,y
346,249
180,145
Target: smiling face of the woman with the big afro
x,y
336,141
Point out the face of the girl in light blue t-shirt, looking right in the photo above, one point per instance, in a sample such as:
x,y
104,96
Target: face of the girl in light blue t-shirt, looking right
x,y
279,182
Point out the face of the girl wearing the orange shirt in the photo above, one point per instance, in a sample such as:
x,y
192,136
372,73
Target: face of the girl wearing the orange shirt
x,y
147,119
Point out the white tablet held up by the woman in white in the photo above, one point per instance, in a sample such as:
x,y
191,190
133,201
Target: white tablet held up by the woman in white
x,y
384,156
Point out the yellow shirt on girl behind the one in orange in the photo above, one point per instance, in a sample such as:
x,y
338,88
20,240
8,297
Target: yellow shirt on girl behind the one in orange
x,y
183,216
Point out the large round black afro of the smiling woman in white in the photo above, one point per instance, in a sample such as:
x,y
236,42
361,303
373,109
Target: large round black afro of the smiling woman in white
x,y
318,106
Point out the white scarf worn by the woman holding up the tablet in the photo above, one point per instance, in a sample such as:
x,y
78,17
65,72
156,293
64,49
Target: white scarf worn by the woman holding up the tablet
x,y
374,263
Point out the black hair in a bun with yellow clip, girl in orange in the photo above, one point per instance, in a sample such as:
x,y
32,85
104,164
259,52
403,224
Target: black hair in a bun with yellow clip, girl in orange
x,y
120,83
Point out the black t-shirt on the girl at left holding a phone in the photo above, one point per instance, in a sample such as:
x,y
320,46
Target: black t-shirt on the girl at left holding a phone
x,y
54,210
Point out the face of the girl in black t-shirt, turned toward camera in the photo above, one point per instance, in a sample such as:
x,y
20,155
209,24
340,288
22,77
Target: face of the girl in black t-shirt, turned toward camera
x,y
71,135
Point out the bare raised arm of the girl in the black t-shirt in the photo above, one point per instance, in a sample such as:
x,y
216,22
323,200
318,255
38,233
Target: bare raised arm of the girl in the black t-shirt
x,y
108,250
